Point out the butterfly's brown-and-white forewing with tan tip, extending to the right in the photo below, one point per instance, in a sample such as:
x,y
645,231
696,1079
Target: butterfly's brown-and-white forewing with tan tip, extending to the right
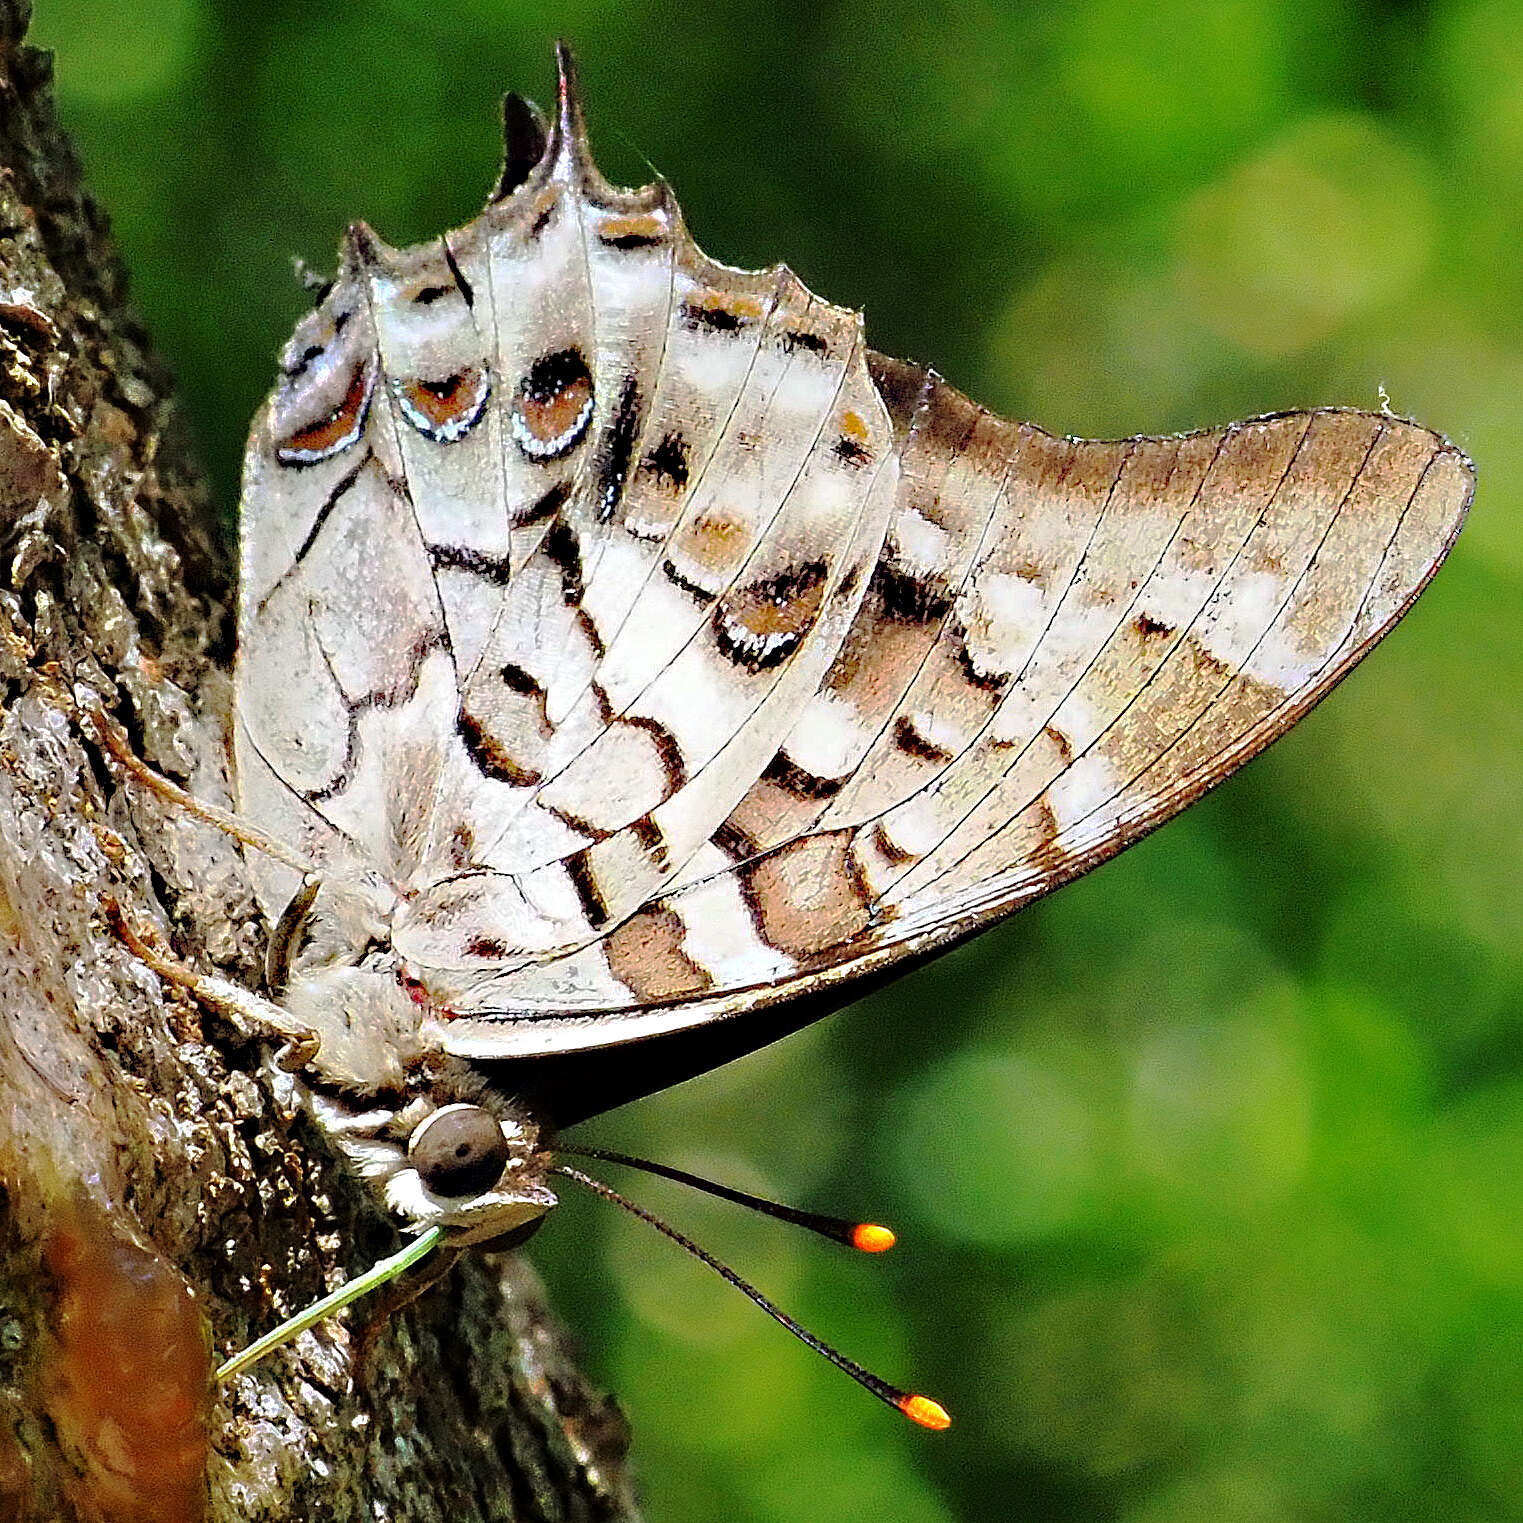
x,y
1134,622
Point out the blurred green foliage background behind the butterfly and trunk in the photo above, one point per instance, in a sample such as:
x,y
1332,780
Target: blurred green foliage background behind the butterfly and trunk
x,y
1207,1170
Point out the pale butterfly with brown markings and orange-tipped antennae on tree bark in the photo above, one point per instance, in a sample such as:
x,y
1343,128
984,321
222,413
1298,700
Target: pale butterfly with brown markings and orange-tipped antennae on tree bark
x,y
634,666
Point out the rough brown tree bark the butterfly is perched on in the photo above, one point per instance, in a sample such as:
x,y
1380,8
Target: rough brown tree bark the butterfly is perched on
x,y
153,1189
